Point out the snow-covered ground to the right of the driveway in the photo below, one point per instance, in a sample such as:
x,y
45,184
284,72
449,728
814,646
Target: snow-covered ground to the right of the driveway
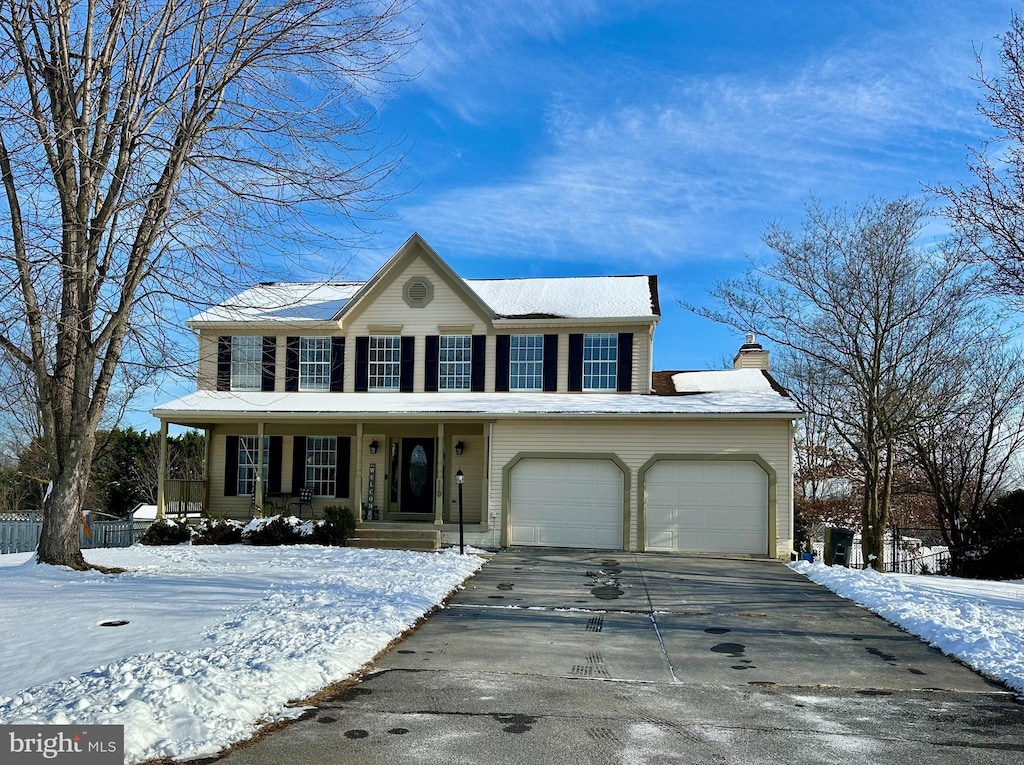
x,y
980,623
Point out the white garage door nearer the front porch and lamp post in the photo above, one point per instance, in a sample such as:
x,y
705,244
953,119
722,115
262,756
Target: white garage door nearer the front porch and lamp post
x,y
567,503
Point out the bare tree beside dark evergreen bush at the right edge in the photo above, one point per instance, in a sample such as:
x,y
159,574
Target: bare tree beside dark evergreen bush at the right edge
x,y
969,450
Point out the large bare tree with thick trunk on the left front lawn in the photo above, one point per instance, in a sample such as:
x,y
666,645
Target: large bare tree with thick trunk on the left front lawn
x,y
154,151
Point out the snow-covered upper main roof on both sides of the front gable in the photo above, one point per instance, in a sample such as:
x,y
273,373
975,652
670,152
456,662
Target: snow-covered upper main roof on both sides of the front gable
x,y
574,297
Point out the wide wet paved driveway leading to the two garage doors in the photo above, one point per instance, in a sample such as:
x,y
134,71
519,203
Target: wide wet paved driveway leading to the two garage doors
x,y
583,657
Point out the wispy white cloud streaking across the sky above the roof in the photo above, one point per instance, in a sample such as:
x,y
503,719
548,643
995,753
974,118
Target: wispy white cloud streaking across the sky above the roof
x,y
691,166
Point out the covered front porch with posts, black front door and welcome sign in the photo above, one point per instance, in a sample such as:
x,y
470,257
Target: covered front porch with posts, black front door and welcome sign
x,y
394,475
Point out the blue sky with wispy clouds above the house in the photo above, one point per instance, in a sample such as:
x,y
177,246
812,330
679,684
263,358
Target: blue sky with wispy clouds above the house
x,y
588,138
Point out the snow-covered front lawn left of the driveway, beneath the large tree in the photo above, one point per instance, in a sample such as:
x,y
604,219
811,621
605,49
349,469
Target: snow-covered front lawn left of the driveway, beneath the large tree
x,y
219,640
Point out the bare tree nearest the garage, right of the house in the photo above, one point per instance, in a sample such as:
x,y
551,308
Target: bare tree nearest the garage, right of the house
x,y
875,318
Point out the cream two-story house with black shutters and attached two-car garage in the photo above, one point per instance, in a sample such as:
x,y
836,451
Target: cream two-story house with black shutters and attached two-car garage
x,y
539,394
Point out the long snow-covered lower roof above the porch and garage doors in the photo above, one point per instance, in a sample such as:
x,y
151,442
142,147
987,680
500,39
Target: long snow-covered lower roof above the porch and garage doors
x,y
272,406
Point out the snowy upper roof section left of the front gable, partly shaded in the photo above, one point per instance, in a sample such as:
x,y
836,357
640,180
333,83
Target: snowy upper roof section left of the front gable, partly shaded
x,y
283,302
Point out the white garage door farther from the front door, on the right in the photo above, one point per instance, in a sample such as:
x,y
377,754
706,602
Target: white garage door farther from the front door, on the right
x,y
707,506
